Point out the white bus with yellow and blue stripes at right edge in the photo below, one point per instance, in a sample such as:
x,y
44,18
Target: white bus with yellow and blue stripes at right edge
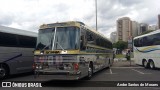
x,y
147,50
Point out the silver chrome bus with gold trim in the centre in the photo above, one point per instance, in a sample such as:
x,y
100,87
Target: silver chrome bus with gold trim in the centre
x,y
70,51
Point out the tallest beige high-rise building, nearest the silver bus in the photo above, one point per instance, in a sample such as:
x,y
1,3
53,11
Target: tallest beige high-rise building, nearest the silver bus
x,y
124,29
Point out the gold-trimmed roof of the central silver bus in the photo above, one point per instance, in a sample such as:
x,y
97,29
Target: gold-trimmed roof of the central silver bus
x,y
72,23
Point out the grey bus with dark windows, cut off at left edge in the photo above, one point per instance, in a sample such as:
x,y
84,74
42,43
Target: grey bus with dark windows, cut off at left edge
x,y
16,51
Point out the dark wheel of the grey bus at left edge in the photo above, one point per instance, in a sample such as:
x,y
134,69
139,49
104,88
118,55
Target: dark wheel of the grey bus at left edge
x,y
4,72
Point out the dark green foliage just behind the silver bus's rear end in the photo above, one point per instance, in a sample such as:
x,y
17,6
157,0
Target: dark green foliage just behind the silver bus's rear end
x,y
120,45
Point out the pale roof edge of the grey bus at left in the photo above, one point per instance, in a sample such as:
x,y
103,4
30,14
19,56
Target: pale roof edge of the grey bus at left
x,y
17,31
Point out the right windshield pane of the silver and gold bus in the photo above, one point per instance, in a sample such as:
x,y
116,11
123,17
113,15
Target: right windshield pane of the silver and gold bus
x,y
67,38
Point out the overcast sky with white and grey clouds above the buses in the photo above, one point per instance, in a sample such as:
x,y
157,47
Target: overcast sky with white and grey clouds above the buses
x,y
30,14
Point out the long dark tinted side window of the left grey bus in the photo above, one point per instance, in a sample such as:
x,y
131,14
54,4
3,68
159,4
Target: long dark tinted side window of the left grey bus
x,y
12,40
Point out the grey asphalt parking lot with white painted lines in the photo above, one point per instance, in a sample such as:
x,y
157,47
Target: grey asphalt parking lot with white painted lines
x,y
121,72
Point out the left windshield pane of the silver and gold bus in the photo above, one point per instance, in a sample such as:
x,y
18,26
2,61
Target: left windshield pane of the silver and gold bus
x,y
45,37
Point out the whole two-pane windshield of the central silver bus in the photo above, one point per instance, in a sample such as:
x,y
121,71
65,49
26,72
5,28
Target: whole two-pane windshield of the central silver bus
x,y
63,38
